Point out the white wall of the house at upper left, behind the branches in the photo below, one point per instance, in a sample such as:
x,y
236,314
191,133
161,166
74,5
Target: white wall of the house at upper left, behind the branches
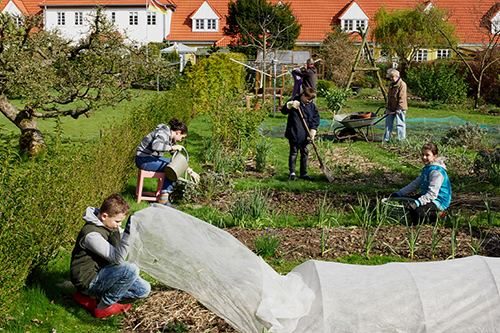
x,y
140,33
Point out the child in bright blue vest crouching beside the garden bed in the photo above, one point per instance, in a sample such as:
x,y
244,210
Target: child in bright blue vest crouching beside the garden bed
x,y
434,184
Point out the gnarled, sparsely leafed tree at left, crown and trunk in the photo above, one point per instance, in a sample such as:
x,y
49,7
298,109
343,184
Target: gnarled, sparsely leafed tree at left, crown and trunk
x,y
57,77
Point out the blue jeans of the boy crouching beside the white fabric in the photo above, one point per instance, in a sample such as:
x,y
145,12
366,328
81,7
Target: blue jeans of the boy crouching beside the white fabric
x,y
115,283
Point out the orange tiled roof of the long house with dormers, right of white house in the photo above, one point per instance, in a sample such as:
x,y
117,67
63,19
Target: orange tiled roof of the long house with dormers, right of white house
x,y
316,16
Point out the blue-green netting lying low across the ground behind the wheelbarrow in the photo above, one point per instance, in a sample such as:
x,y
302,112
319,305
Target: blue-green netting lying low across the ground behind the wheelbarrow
x,y
415,126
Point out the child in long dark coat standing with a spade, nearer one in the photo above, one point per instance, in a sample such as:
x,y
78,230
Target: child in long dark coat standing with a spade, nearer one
x,y
297,134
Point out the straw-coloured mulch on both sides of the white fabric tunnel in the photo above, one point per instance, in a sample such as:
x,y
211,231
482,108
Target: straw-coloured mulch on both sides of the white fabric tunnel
x,y
297,245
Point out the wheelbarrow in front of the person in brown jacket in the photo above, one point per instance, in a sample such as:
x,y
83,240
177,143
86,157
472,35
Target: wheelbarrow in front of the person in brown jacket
x,y
358,125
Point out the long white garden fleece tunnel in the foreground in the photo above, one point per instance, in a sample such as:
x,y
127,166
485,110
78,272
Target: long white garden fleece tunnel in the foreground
x,y
460,295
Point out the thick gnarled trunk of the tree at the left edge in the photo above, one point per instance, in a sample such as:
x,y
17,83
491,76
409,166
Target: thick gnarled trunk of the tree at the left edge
x,y
31,139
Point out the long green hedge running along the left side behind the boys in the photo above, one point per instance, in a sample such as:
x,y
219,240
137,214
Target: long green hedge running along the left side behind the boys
x,y
44,198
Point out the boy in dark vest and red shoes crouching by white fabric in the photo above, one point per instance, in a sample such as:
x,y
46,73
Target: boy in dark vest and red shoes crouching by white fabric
x,y
98,266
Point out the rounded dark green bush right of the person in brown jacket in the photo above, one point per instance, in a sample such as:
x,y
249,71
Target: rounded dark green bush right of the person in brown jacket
x,y
438,81
